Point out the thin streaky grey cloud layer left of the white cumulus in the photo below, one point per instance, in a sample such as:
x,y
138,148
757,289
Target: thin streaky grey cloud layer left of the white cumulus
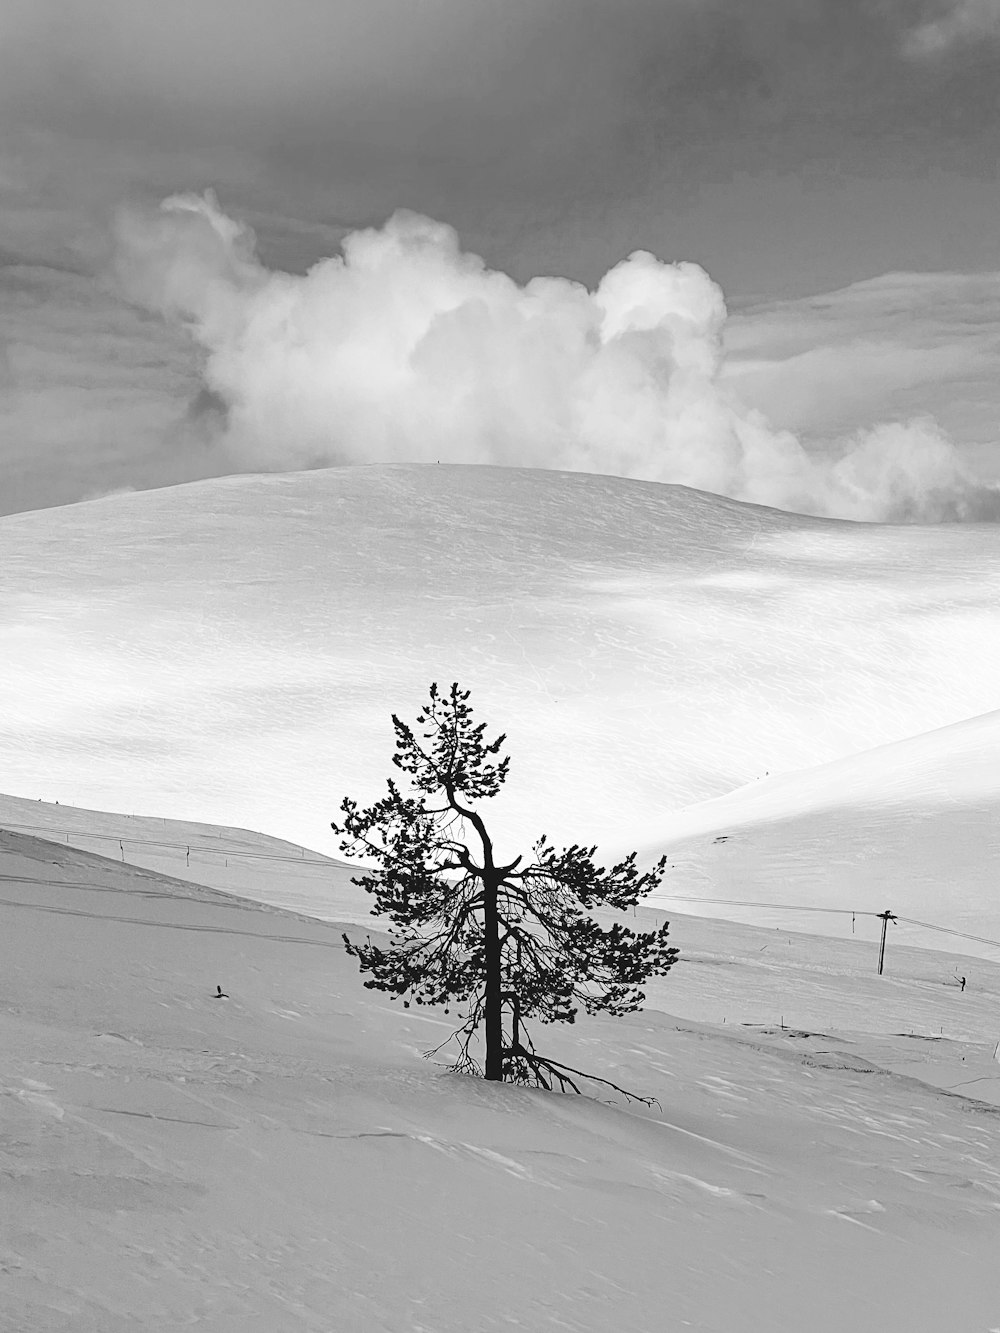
x,y
94,398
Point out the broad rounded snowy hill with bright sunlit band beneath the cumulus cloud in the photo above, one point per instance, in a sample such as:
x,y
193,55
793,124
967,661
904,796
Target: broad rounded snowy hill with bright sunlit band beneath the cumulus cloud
x,y
231,650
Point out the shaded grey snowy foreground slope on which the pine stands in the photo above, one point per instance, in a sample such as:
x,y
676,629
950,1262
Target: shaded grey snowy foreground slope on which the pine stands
x,y
825,1154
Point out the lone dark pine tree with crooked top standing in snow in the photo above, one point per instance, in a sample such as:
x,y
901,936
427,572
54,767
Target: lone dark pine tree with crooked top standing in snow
x,y
498,939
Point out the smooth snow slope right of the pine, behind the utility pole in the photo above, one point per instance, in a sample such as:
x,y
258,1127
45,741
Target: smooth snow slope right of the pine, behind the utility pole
x,y
913,827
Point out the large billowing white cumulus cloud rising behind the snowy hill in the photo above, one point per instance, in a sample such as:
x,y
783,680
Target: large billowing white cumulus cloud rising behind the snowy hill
x,y
405,349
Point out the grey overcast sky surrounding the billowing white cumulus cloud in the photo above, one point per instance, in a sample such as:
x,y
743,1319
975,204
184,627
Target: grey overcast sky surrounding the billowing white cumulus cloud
x,y
790,147
